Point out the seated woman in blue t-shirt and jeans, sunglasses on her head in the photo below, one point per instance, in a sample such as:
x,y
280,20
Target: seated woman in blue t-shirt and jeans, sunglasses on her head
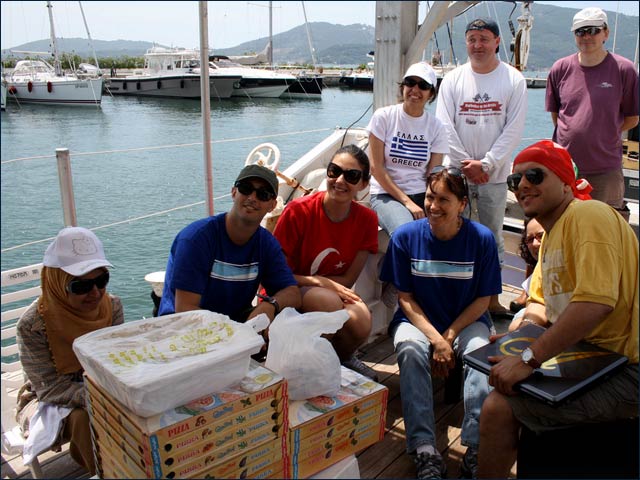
x,y
445,268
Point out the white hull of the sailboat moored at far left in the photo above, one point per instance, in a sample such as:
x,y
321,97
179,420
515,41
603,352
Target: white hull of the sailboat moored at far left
x,y
56,92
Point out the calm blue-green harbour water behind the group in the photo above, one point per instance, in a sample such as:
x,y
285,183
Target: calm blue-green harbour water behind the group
x,y
111,186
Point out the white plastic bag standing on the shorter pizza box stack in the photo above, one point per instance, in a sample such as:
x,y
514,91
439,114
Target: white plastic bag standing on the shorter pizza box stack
x,y
299,353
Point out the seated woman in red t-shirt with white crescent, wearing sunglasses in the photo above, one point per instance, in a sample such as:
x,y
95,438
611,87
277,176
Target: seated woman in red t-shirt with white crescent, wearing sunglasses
x,y
327,238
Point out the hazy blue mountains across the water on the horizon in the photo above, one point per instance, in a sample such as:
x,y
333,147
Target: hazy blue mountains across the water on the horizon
x,y
346,45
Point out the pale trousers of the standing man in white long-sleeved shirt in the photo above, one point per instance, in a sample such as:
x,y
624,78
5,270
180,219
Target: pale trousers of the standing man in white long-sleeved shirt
x,y
487,205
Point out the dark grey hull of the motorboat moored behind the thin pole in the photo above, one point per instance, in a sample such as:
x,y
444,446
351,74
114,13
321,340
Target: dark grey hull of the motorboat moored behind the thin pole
x,y
175,86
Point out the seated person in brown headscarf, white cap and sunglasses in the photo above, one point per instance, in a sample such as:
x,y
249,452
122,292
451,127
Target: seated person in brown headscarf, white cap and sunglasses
x,y
73,302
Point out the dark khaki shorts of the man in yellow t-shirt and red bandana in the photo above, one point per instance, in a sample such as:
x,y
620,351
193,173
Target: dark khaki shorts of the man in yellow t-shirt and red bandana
x,y
614,399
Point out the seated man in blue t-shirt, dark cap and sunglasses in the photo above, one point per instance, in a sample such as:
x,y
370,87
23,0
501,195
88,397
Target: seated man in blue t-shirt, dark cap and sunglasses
x,y
219,262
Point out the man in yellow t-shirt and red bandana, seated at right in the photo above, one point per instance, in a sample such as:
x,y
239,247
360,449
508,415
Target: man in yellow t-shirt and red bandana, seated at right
x,y
584,287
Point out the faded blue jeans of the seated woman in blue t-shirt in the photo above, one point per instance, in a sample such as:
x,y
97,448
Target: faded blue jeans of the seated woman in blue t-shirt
x,y
416,388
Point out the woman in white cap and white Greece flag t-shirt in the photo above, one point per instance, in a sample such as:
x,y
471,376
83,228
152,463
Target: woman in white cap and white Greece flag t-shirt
x,y
405,143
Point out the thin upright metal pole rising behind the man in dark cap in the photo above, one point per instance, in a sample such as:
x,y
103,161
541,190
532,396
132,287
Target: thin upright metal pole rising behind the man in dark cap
x,y
205,104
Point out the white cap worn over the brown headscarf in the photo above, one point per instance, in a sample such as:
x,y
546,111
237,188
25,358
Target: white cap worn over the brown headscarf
x,y
77,251
